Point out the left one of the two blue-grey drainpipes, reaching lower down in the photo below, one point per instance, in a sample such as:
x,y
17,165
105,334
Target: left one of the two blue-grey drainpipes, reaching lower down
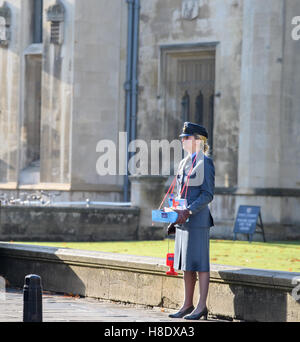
x,y
128,89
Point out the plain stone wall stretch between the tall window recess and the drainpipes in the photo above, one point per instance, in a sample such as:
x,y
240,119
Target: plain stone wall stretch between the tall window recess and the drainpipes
x,y
99,63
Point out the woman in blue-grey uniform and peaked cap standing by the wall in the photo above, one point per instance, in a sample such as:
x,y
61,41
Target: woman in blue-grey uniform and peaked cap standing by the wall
x,y
195,182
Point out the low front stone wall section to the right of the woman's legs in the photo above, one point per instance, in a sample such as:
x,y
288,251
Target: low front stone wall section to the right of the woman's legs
x,y
255,295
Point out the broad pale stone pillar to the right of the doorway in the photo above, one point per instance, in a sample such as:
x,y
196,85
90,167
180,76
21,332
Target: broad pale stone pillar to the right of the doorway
x,y
261,86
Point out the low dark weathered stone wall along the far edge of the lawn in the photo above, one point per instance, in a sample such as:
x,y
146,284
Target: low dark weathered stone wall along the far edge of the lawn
x,y
72,224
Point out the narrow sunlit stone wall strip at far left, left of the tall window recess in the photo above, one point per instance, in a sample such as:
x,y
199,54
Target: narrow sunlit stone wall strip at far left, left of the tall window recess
x,y
10,69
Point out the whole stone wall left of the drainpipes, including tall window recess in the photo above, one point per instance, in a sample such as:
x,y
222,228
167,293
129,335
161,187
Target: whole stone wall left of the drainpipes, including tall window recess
x,y
59,100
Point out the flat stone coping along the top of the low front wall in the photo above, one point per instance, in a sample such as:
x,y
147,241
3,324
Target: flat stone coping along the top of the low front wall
x,y
219,273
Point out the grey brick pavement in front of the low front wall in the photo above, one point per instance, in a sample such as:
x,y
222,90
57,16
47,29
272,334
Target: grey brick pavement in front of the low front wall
x,y
59,308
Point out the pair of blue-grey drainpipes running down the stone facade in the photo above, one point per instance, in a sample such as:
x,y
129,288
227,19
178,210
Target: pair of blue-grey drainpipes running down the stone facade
x,y
131,85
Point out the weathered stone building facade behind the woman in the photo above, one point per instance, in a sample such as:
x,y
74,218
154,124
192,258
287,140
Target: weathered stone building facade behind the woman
x,y
69,80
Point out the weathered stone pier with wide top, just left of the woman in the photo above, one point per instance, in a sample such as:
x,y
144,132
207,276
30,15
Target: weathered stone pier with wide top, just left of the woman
x,y
147,193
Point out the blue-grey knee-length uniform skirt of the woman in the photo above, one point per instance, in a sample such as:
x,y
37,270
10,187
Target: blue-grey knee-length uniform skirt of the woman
x,y
192,249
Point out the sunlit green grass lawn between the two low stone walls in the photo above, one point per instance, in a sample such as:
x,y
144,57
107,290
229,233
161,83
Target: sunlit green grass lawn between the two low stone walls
x,y
284,256
